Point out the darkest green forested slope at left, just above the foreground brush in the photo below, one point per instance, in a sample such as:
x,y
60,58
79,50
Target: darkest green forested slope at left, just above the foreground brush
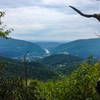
x,y
15,69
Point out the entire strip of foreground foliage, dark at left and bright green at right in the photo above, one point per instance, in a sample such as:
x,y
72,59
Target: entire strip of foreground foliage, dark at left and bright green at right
x,y
80,85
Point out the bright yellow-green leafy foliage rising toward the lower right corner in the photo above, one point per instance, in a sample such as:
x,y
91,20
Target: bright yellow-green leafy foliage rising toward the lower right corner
x,y
79,86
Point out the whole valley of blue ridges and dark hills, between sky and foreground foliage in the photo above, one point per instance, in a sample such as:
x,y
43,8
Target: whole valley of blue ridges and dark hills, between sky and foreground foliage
x,y
45,60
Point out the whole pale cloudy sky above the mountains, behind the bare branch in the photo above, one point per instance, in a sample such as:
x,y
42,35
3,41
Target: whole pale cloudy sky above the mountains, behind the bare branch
x,y
50,20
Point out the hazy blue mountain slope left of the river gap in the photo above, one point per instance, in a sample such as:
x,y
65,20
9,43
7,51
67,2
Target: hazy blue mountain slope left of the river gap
x,y
15,48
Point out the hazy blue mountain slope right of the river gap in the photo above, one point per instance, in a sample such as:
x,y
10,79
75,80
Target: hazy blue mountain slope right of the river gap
x,y
82,48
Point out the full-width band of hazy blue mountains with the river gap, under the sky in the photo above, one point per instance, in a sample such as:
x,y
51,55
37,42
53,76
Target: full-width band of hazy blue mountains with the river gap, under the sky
x,y
17,48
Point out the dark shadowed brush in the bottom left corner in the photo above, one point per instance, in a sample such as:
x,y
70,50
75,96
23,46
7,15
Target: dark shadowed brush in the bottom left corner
x,y
16,90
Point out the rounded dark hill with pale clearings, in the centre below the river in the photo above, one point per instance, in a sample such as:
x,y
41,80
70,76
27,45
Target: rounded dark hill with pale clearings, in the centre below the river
x,y
62,63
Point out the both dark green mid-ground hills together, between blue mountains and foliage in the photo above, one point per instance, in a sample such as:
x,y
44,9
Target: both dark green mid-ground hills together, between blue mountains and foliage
x,y
47,68
